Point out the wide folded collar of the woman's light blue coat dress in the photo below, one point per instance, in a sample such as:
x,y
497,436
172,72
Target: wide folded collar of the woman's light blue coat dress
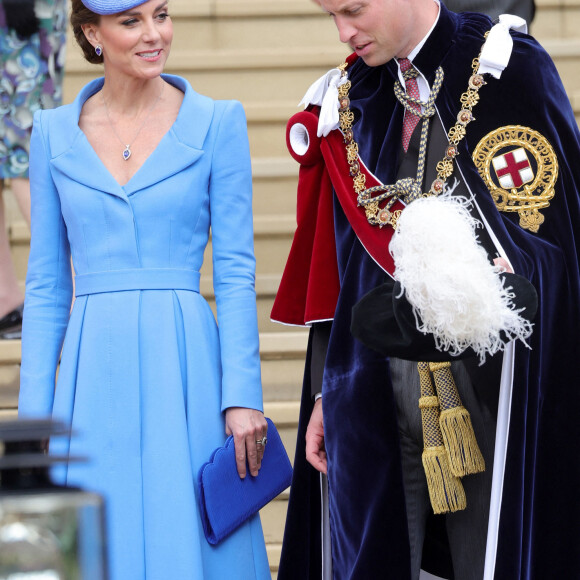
x,y
179,148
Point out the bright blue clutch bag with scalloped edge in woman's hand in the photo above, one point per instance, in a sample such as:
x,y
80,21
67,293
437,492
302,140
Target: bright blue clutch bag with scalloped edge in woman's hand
x,y
226,501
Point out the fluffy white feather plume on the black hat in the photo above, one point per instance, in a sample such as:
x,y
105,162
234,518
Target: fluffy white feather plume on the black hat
x,y
456,294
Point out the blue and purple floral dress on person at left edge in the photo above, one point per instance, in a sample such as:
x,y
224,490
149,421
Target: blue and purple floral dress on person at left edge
x,y
31,72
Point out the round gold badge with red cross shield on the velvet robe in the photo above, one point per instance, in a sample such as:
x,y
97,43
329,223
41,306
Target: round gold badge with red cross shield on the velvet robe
x,y
520,169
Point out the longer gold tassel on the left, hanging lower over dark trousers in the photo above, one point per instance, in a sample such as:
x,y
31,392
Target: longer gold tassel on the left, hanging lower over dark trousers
x,y
445,489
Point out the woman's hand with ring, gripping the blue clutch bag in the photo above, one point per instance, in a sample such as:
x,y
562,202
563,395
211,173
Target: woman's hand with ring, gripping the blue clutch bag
x,y
248,427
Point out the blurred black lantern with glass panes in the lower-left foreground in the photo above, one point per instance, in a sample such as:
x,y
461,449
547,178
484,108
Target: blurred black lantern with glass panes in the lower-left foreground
x,y
47,531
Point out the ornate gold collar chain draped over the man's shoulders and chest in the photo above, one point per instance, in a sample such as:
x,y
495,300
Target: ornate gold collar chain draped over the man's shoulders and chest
x,y
368,198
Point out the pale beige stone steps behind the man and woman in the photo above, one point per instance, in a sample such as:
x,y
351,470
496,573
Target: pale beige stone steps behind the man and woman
x,y
265,53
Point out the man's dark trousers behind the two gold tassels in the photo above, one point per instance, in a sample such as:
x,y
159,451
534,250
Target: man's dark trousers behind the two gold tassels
x,y
467,529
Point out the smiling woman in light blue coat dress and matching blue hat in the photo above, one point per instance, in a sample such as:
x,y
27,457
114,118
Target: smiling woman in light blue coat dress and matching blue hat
x,y
127,180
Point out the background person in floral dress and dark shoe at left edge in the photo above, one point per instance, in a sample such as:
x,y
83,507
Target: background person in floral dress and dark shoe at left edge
x,y
32,53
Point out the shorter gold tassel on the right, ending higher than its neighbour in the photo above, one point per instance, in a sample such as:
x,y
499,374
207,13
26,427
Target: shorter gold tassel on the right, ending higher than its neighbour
x,y
455,421
